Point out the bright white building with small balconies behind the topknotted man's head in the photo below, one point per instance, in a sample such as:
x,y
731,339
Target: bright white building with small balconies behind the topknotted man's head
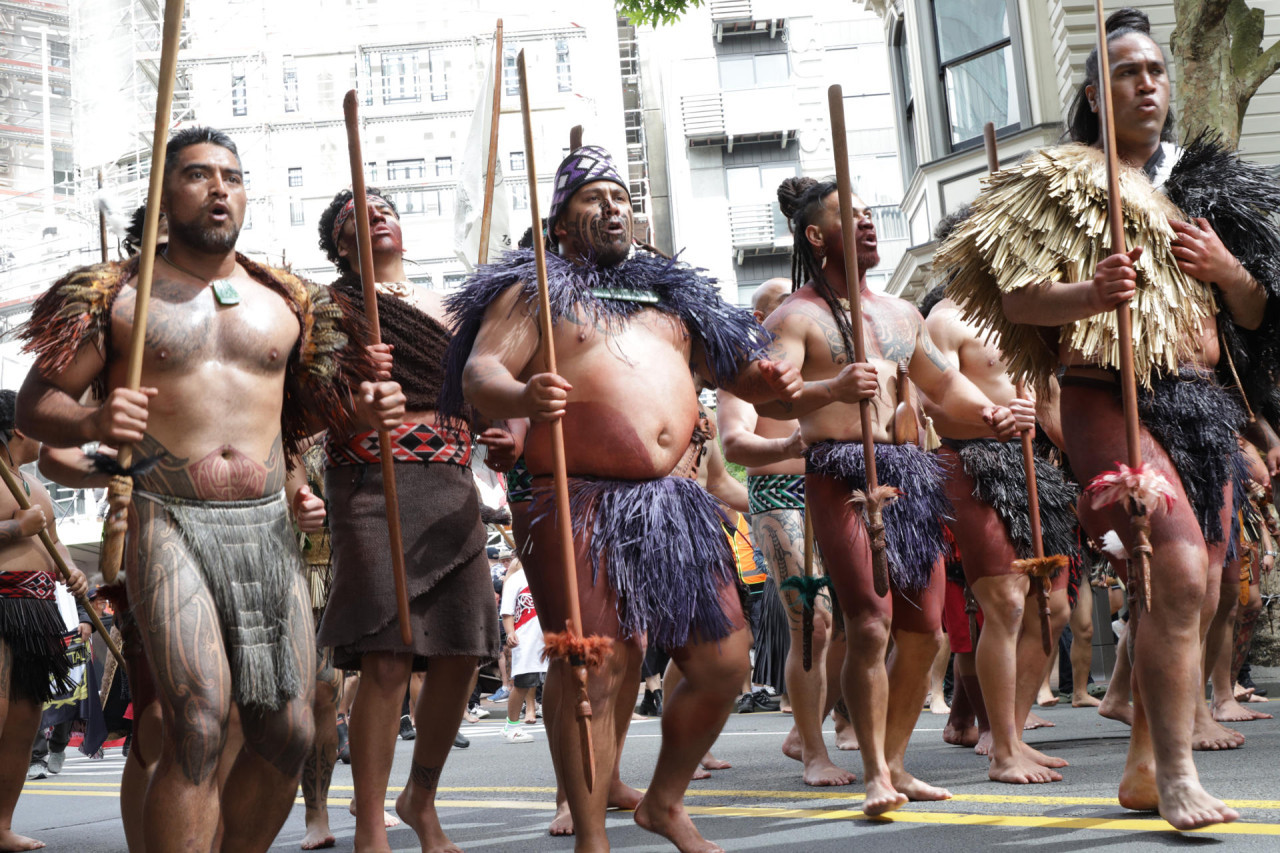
x,y
743,94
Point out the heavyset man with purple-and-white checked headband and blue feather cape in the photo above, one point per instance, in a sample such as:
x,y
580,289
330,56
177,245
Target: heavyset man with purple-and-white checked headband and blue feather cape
x,y
629,329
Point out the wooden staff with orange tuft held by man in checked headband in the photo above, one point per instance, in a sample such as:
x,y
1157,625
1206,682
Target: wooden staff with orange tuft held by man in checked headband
x,y
582,653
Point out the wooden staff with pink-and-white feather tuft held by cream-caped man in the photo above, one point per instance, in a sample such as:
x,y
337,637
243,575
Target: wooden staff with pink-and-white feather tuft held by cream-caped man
x,y
1144,489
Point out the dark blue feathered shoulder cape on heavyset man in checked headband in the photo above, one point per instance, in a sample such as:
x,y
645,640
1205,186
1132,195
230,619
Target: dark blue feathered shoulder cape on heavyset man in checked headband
x,y
609,295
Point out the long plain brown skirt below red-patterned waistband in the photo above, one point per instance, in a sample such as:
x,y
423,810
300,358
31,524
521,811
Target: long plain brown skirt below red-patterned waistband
x,y
452,609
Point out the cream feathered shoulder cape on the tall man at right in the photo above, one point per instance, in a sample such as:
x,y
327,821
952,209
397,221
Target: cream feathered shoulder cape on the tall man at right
x,y
1046,221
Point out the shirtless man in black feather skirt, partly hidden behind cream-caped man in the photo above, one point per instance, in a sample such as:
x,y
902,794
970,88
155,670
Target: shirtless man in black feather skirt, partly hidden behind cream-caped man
x,y
989,494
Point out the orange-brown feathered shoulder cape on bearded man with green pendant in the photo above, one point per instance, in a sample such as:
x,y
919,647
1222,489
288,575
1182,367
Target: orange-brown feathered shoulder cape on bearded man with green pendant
x,y
326,367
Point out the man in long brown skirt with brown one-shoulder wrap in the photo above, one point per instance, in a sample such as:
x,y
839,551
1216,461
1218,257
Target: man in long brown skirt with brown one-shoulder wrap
x,y
454,621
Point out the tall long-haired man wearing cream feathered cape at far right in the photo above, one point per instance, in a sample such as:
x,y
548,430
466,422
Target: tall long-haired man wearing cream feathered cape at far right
x,y
1203,276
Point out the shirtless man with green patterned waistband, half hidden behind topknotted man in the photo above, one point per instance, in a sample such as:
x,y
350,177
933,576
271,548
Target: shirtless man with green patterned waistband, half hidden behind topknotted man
x,y
774,455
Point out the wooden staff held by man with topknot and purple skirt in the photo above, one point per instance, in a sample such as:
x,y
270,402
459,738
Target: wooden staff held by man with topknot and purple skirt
x,y
876,496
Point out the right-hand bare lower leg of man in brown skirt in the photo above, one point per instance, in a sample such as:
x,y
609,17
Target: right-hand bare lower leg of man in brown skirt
x,y
449,685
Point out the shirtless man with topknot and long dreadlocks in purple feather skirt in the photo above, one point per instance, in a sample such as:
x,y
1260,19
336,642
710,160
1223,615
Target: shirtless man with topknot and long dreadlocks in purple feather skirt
x,y
813,329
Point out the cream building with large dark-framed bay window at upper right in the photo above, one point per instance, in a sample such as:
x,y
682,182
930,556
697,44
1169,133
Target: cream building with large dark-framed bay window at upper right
x,y
957,65
